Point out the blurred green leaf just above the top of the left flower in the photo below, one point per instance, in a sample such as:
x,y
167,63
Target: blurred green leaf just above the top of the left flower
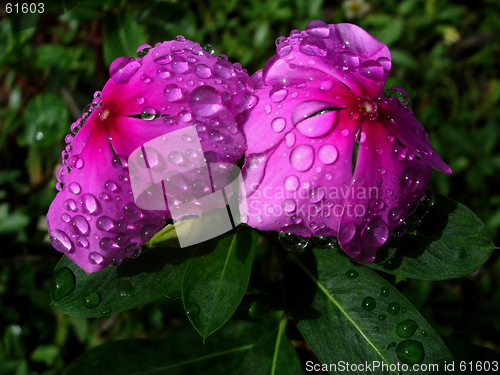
x,y
122,36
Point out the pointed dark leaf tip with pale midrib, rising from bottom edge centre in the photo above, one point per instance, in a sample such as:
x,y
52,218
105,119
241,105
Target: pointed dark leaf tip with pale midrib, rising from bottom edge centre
x,y
274,354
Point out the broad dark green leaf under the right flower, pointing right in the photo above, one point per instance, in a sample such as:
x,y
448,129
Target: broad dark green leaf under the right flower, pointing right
x,y
453,243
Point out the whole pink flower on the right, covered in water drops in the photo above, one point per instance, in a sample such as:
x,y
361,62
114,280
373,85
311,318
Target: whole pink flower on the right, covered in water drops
x,y
328,153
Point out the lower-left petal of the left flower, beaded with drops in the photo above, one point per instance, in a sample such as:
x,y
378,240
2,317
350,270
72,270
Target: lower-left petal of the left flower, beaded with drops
x,y
94,220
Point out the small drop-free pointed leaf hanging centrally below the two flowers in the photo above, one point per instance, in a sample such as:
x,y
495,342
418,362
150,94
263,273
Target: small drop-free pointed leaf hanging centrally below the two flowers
x,y
216,279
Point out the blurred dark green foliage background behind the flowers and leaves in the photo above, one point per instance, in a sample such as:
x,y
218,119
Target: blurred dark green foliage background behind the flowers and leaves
x,y
446,54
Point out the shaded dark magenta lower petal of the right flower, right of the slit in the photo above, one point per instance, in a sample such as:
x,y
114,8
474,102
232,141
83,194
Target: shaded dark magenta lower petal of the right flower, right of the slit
x,y
385,186
